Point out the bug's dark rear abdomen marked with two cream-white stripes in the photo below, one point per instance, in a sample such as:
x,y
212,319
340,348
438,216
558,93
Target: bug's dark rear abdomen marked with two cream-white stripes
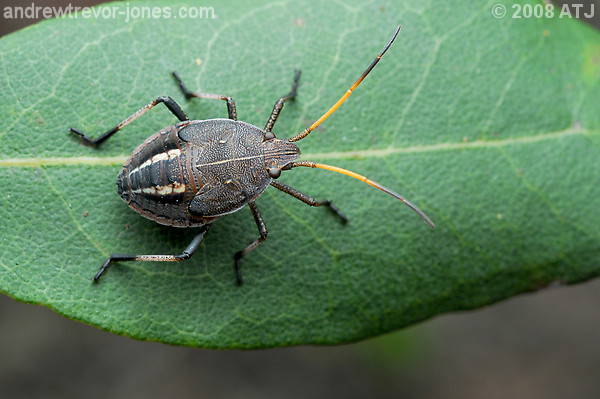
x,y
156,181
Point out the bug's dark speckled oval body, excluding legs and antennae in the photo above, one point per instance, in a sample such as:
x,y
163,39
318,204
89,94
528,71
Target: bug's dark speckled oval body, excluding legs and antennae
x,y
193,172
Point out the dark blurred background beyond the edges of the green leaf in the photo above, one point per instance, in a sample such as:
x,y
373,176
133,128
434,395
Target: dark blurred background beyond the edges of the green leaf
x,y
542,345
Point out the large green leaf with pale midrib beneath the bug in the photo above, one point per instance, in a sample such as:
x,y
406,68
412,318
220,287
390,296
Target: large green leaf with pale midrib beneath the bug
x,y
490,125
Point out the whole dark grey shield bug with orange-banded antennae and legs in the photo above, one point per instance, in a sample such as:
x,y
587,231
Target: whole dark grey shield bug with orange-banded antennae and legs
x,y
192,173
